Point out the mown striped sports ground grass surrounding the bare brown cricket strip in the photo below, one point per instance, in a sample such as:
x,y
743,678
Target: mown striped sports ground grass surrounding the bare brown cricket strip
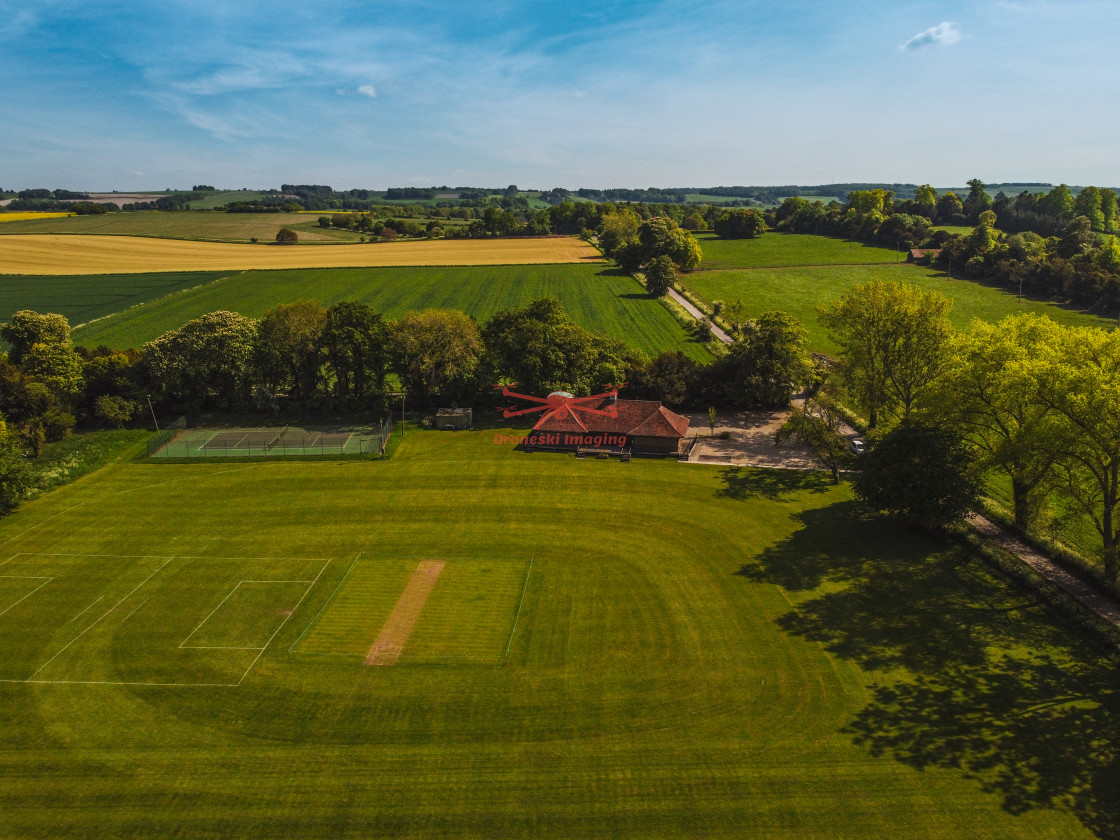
x,y
184,656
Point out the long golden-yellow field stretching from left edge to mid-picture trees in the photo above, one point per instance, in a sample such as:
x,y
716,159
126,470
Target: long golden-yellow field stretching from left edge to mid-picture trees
x,y
82,255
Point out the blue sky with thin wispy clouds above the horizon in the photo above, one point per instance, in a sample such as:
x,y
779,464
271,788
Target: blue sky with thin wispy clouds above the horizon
x,y
100,95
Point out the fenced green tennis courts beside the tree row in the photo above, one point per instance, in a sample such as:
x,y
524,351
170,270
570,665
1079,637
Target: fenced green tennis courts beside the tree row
x,y
268,442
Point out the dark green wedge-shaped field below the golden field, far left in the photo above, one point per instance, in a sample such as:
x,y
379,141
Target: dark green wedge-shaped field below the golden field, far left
x,y
83,300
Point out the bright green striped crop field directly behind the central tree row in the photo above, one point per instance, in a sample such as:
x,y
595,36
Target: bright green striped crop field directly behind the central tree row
x,y
596,298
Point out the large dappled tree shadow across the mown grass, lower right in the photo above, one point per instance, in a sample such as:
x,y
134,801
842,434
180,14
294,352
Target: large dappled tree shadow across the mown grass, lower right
x,y
968,673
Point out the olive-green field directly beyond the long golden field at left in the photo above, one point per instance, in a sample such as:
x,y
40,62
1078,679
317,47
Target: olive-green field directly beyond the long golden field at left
x,y
189,226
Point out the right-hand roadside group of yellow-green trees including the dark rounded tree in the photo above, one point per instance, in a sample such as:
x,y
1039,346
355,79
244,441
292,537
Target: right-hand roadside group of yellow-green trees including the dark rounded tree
x,y
1026,399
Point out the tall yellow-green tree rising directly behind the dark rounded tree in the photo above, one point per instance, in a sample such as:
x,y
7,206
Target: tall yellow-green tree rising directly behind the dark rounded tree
x,y
893,339
